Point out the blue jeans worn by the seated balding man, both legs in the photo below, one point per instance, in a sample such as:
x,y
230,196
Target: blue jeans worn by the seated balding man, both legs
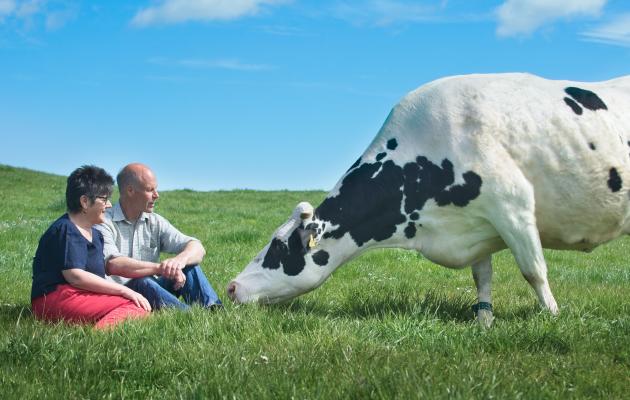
x,y
160,293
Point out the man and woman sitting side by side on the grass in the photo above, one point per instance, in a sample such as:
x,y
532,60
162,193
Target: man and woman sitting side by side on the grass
x,y
94,239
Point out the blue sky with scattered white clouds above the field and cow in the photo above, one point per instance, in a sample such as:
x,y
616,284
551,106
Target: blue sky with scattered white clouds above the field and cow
x,y
262,94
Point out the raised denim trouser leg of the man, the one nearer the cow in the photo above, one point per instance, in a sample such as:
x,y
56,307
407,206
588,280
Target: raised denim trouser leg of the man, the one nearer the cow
x,y
197,289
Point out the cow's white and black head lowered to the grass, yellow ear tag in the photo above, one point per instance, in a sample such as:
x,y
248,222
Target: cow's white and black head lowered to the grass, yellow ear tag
x,y
290,265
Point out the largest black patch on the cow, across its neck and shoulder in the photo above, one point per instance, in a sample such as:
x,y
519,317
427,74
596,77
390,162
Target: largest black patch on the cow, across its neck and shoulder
x,y
368,205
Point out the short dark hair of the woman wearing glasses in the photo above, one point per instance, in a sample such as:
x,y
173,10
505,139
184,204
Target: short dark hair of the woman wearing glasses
x,y
88,180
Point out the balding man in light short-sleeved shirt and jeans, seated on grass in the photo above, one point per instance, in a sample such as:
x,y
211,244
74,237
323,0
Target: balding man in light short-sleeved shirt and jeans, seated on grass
x,y
134,236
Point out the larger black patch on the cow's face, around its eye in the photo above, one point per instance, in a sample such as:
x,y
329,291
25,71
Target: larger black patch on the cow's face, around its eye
x,y
290,254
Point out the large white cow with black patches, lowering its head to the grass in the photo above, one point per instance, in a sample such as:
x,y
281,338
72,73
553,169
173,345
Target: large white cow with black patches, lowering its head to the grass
x,y
463,167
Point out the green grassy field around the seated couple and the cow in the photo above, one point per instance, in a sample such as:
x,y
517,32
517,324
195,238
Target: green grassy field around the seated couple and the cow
x,y
390,324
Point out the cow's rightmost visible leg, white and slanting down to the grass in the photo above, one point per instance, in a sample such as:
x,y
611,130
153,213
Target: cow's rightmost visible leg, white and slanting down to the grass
x,y
518,230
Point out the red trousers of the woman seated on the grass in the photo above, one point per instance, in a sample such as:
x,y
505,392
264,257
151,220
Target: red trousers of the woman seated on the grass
x,y
75,305
